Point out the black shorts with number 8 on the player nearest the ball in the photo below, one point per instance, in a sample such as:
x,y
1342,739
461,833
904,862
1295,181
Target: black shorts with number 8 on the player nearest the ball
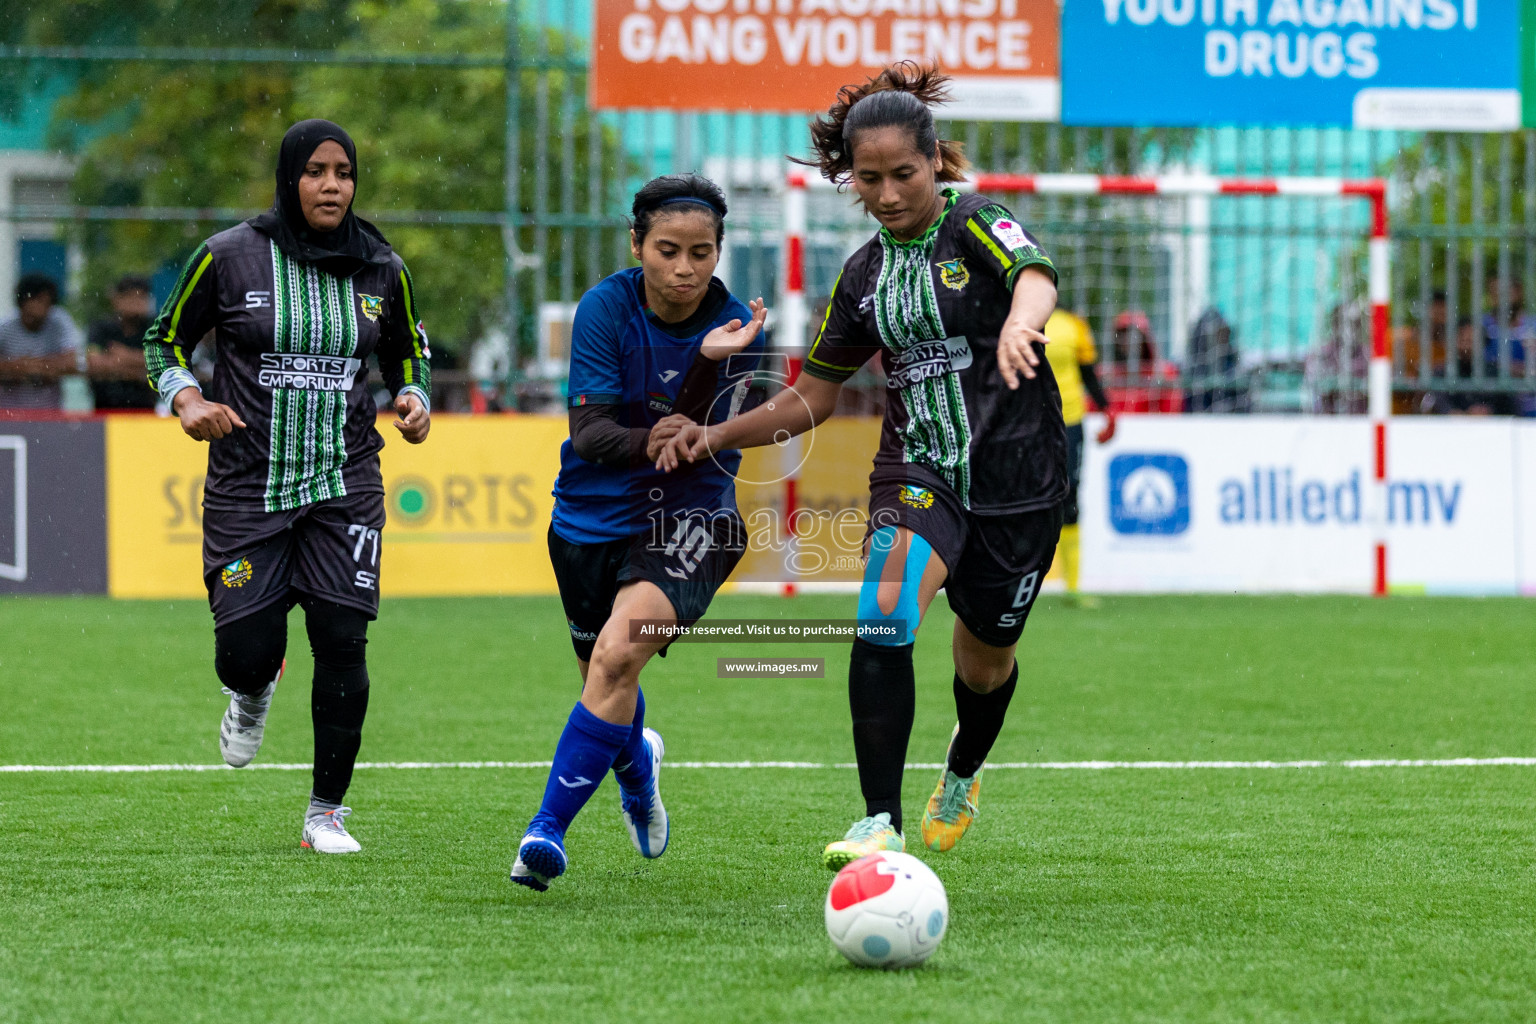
x,y
995,563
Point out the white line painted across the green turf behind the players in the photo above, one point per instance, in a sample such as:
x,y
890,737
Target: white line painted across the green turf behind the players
x,y
1093,767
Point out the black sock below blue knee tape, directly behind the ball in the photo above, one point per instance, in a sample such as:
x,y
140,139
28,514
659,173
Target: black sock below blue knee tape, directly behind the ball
x,y
882,695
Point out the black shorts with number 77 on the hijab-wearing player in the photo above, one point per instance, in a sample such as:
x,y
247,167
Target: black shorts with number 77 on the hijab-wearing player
x,y
329,550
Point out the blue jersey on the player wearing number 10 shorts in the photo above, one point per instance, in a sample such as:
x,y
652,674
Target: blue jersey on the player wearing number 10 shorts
x,y
624,357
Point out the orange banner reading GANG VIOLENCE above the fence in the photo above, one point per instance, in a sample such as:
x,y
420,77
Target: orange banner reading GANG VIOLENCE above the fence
x,y
793,56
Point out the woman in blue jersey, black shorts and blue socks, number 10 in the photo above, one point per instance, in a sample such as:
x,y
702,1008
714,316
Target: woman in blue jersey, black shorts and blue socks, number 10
x,y
654,349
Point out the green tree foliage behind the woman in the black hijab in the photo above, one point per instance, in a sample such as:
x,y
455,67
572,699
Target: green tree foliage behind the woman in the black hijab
x,y
207,134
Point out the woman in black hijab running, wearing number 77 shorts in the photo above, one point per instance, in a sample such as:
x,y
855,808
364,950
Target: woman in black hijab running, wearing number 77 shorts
x,y
294,504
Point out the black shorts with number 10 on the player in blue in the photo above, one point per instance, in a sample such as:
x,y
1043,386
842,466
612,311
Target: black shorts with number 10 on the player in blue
x,y
687,558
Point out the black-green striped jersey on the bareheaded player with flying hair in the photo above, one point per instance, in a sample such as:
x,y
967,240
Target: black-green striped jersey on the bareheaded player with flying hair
x,y
935,308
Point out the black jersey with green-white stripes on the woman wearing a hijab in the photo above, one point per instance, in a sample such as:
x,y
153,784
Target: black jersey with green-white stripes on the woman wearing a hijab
x,y
291,362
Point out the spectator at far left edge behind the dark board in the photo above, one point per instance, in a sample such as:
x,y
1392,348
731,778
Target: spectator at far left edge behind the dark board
x,y
38,348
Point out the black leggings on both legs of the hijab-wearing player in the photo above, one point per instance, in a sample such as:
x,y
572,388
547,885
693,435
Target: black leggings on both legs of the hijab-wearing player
x,y
250,652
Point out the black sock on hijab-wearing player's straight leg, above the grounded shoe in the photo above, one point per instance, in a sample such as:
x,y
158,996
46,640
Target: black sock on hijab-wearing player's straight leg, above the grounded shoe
x,y
340,701
